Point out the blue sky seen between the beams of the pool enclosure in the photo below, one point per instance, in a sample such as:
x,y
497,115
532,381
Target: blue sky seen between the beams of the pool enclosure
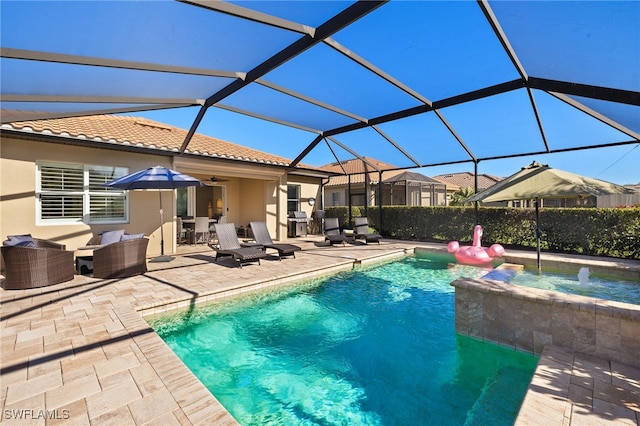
x,y
439,49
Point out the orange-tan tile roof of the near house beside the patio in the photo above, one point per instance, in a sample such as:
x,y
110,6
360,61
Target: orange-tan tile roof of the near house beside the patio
x,y
142,132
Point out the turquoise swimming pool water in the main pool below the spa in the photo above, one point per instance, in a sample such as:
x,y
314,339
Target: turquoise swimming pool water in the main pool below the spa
x,y
375,346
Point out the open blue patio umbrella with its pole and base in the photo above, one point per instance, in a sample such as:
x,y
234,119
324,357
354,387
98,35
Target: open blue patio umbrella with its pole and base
x,y
159,178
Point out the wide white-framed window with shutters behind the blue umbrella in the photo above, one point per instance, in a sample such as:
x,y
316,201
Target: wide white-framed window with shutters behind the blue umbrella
x,y
68,193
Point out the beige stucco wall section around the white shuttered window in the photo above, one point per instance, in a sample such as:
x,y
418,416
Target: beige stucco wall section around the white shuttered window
x,y
18,159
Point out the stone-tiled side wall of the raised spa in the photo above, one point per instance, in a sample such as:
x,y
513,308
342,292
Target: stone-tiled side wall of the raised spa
x,y
528,319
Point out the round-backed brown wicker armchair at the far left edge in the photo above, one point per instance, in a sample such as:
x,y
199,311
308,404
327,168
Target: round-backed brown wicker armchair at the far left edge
x,y
45,264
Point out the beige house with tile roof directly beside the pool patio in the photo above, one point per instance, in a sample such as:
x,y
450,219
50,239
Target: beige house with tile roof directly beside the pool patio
x,y
52,173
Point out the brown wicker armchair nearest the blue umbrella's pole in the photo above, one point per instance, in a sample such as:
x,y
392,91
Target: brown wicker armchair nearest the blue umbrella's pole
x,y
121,259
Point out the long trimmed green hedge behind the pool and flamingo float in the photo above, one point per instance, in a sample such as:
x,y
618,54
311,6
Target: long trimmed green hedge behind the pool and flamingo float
x,y
613,232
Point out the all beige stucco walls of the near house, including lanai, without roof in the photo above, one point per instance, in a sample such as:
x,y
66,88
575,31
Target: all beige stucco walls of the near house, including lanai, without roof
x,y
262,197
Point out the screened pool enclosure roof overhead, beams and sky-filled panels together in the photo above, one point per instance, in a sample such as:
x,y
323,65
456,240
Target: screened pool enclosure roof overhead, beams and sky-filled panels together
x,y
414,83
